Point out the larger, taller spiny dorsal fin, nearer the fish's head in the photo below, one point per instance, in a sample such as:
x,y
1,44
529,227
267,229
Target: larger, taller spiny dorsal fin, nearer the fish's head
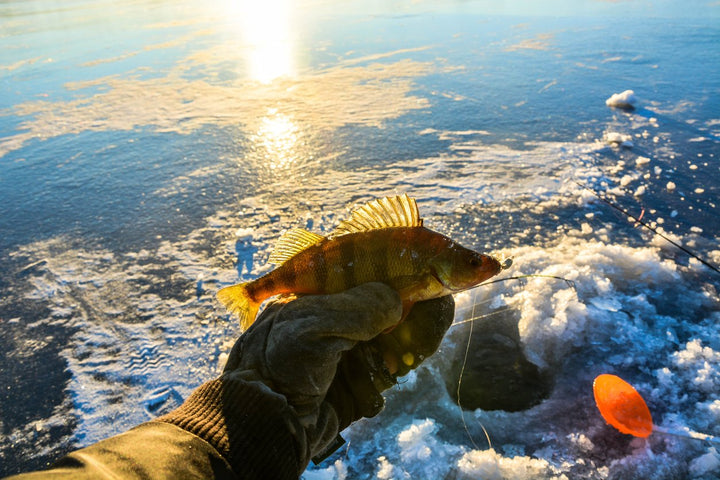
x,y
388,212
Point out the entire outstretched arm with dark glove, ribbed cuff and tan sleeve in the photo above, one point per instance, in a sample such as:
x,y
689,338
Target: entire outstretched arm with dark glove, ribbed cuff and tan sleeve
x,y
305,370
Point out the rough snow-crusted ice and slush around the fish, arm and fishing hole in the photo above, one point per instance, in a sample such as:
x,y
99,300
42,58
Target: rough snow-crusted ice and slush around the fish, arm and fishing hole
x,y
621,309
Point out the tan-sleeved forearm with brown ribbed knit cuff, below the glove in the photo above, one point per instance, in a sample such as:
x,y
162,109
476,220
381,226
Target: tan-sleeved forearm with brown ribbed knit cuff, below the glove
x,y
226,429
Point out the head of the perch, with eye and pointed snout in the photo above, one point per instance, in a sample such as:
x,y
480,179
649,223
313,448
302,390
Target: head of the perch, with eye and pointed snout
x,y
459,268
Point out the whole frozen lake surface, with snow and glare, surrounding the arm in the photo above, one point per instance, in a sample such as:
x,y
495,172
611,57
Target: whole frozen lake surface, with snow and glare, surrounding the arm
x,y
152,152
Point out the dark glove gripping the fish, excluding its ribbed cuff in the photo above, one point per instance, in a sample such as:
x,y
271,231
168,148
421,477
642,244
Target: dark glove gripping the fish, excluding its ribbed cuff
x,y
328,355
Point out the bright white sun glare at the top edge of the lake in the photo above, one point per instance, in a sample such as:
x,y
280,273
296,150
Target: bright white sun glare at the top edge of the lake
x,y
266,29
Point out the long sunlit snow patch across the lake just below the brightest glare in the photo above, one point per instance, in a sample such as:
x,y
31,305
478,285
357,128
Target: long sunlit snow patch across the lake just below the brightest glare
x,y
340,95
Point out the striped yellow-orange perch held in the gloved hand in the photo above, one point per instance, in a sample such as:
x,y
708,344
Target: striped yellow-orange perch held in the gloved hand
x,y
383,241
